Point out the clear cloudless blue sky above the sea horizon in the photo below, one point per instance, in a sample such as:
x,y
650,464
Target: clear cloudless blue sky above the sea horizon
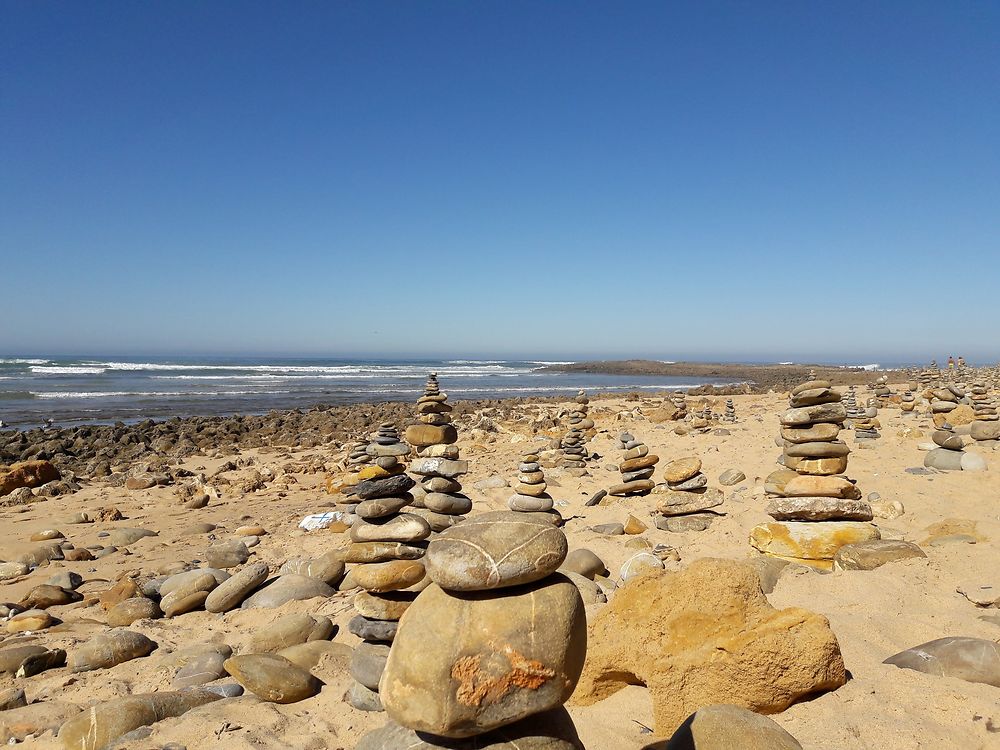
x,y
706,179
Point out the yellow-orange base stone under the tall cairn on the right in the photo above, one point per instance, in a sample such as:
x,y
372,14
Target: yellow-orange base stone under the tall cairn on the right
x,y
814,542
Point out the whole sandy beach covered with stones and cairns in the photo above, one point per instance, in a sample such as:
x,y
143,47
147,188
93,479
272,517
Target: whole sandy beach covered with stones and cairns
x,y
814,565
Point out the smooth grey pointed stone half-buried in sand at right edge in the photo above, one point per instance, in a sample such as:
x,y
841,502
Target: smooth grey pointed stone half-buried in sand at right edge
x,y
969,659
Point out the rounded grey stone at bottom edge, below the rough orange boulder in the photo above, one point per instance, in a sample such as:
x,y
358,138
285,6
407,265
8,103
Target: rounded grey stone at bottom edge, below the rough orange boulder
x,y
726,727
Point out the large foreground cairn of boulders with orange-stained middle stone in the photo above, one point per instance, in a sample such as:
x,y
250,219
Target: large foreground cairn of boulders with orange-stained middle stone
x,y
492,648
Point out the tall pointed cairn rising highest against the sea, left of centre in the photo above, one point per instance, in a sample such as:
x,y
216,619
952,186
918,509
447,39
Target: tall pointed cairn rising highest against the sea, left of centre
x,y
439,496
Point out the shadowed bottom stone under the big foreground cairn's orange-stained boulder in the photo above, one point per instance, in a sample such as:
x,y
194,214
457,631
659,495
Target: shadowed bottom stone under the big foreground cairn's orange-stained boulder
x,y
552,730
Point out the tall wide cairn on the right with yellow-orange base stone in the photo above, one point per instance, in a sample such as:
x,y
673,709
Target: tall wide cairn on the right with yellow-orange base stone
x,y
817,509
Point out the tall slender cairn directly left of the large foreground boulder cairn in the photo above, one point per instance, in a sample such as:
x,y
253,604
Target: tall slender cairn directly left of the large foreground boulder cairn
x,y
386,551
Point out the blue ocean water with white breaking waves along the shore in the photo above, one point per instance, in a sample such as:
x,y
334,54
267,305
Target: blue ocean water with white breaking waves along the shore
x,y
101,390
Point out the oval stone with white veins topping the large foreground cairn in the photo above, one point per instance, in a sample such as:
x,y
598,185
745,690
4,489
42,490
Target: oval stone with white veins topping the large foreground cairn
x,y
495,550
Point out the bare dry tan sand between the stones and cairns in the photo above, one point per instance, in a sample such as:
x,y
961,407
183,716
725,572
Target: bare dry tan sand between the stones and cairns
x,y
874,614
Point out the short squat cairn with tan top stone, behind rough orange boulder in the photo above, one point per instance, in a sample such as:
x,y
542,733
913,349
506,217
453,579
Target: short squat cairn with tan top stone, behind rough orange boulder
x,y
685,500
